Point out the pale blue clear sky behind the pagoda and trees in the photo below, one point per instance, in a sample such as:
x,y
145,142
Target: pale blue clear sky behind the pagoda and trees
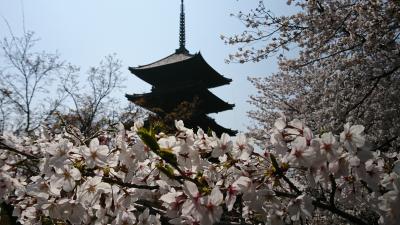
x,y
141,32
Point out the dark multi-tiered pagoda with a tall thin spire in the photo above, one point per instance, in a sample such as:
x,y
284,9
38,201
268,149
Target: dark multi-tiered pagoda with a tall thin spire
x,y
183,78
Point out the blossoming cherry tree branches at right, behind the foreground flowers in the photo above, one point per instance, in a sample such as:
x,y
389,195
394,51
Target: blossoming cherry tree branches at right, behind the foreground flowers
x,y
346,66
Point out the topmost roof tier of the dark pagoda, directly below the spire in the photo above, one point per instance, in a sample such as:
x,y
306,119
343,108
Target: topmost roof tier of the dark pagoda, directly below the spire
x,y
178,68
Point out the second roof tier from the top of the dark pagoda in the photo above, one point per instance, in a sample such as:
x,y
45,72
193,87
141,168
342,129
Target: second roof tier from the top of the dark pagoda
x,y
169,99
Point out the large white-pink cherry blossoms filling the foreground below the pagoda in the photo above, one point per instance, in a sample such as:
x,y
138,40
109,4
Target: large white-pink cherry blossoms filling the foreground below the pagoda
x,y
140,177
